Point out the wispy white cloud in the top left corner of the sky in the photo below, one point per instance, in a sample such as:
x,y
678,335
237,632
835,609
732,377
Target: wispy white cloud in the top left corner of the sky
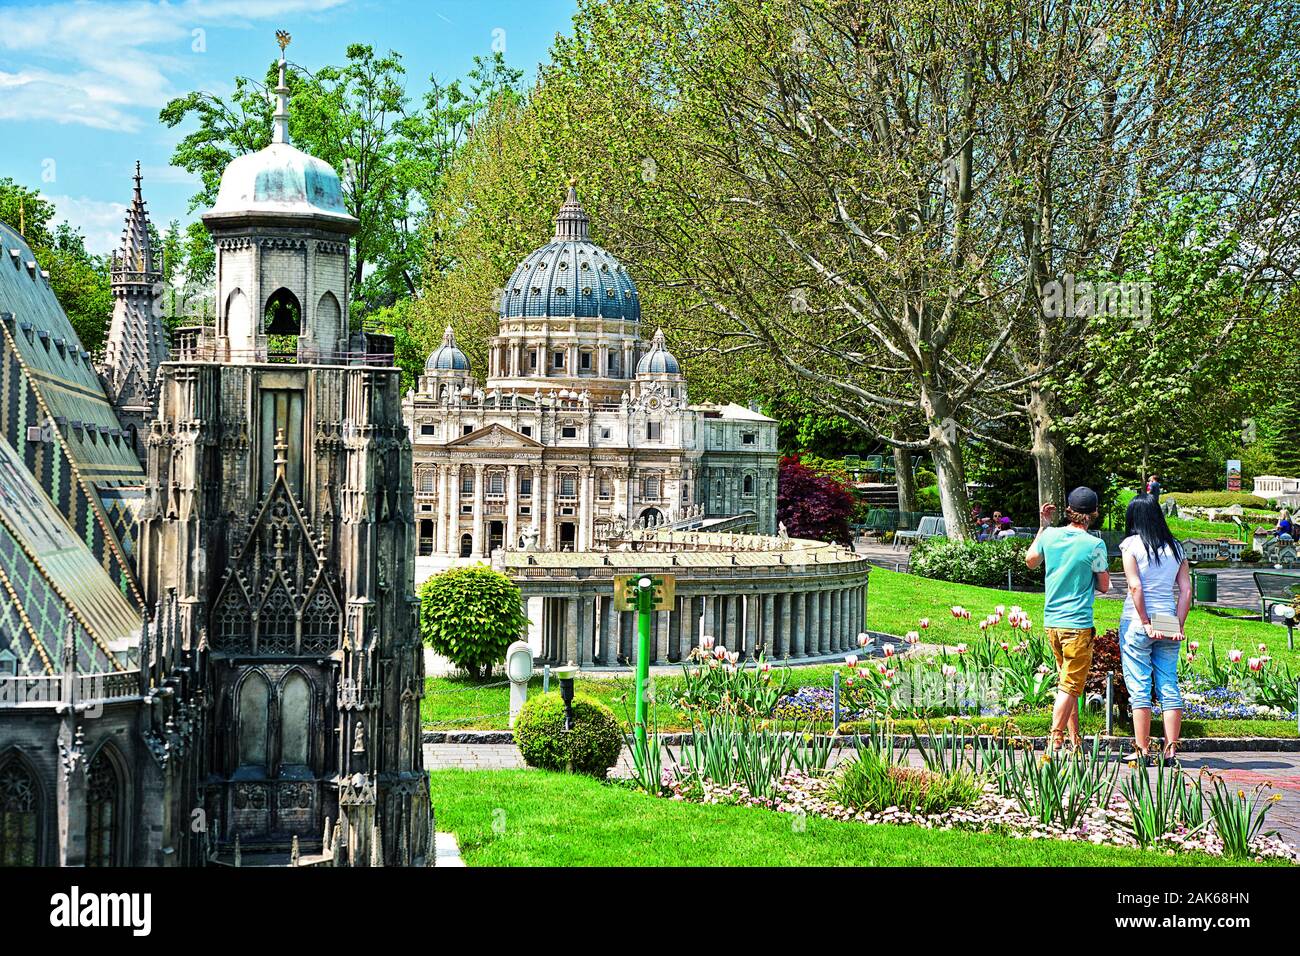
x,y
106,66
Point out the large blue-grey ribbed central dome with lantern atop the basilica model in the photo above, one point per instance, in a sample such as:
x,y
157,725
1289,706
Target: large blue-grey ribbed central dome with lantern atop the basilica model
x,y
571,276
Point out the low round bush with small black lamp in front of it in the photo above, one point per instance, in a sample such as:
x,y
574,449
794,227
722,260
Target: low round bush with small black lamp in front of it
x,y
591,749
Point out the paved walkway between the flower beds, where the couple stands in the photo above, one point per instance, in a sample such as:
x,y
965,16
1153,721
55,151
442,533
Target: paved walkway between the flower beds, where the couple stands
x,y
1245,769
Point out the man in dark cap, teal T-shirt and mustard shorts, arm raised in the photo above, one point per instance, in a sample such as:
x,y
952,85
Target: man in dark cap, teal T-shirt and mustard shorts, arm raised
x,y
1076,566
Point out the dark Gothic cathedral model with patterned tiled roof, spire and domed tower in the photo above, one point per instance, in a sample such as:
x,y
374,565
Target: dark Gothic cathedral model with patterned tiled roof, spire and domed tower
x,y
268,711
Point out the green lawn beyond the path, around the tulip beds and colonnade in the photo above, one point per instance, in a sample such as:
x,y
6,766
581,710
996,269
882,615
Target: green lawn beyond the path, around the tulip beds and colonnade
x,y
896,603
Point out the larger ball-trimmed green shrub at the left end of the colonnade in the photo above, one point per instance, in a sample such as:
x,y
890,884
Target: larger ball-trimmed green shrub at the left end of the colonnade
x,y
471,616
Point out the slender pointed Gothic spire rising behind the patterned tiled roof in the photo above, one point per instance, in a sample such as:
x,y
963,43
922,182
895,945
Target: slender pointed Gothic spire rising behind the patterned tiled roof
x,y
137,343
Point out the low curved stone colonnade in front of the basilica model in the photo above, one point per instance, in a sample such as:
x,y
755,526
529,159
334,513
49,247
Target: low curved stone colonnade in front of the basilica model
x,y
787,599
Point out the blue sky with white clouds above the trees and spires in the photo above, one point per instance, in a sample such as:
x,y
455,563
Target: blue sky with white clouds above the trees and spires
x,y
81,84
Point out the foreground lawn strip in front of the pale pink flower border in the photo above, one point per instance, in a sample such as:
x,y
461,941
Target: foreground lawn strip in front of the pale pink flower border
x,y
536,819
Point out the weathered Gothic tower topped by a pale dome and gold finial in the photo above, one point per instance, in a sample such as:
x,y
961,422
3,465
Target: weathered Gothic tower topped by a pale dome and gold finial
x,y
280,534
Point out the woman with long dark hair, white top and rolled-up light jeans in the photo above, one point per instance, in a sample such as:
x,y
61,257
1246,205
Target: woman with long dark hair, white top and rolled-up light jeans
x,y
1154,565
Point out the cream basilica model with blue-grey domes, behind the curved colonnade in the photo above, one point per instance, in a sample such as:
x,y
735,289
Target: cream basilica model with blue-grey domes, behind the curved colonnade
x,y
580,429
